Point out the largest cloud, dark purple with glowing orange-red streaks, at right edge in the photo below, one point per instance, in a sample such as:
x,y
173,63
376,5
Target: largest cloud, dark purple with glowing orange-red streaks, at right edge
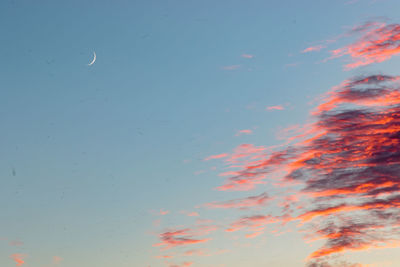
x,y
346,168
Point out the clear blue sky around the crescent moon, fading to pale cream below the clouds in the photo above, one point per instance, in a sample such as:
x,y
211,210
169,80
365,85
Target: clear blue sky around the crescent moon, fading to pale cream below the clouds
x,y
91,154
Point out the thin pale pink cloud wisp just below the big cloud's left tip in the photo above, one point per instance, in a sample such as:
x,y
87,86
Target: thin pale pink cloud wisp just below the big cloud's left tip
x,y
244,203
